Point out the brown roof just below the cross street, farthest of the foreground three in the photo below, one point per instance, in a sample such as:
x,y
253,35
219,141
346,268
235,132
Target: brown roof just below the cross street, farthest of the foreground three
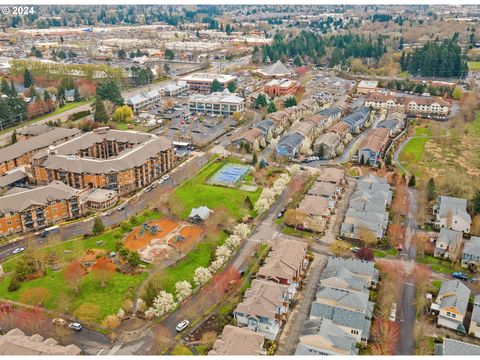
x,y
284,260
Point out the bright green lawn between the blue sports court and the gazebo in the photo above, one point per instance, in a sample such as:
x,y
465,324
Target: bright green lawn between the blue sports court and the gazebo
x,y
195,192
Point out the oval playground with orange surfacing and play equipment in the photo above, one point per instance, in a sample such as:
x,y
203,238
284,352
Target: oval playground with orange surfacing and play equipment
x,y
162,239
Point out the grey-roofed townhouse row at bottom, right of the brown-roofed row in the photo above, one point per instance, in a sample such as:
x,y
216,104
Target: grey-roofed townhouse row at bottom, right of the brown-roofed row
x,y
341,314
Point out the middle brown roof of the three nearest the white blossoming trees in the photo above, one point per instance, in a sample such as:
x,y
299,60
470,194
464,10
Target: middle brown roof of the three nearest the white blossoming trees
x,y
263,299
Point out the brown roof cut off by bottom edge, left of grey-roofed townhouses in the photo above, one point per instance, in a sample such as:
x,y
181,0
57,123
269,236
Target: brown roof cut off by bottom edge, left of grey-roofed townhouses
x,y
238,341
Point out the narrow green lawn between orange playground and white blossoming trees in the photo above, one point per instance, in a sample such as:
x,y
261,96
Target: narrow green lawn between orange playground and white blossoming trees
x,y
201,255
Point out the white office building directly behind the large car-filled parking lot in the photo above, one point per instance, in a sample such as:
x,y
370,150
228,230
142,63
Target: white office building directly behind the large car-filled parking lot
x,y
219,103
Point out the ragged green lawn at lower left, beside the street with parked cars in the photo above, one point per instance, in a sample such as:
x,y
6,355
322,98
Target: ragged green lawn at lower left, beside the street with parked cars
x,y
109,298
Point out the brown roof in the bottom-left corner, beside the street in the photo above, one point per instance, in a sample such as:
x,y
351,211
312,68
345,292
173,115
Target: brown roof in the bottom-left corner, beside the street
x,y
15,342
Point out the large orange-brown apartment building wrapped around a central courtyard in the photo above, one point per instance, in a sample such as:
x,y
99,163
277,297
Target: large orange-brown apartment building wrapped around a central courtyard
x,y
123,161
